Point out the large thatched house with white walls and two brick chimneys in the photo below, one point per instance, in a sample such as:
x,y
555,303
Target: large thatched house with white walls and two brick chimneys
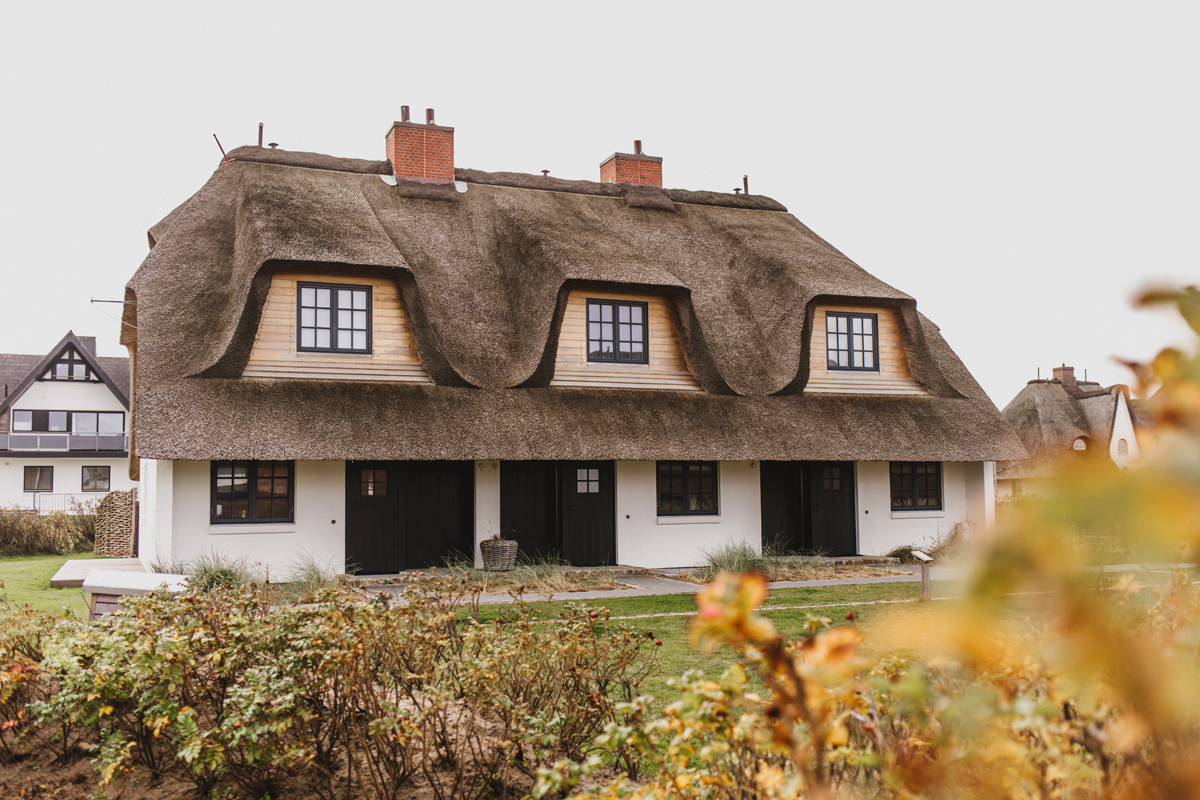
x,y
377,364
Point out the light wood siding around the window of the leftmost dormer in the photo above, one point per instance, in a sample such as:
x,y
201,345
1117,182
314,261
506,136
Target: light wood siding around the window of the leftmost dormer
x,y
393,356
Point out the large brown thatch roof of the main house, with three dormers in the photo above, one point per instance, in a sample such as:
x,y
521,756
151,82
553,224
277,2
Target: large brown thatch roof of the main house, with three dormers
x,y
485,274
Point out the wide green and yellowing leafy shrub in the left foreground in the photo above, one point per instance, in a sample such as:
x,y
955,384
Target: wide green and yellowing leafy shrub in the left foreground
x,y
364,700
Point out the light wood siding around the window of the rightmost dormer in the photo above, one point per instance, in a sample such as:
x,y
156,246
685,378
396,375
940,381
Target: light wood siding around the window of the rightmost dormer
x,y
893,377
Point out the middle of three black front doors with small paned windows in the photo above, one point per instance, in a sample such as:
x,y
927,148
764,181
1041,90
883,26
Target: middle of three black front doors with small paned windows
x,y
589,513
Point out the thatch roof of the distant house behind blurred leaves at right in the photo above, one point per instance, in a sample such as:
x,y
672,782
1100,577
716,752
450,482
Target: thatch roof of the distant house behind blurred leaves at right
x,y
1048,417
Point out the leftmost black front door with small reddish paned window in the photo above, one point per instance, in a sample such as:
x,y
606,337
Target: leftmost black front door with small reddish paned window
x,y
375,530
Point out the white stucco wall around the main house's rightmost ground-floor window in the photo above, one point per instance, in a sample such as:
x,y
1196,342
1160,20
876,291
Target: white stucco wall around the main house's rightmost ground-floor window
x,y
967,497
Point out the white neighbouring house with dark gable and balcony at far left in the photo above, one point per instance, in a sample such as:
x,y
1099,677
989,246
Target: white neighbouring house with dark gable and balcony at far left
x,y
64,423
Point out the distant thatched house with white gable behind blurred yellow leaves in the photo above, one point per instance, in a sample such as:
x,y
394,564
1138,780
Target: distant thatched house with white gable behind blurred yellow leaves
x,y
1067,425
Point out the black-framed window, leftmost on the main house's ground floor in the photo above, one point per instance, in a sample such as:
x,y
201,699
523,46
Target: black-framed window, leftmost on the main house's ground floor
x,y
253,492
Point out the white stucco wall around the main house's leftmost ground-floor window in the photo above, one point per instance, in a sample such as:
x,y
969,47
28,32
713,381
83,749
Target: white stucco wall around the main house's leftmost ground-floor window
x,y
319,531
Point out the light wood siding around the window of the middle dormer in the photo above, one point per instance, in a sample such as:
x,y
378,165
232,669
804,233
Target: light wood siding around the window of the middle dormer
x,y
667,368
